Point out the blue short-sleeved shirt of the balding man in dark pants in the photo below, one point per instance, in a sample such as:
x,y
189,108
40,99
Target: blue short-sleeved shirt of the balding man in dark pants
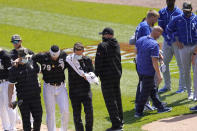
x,y
147,48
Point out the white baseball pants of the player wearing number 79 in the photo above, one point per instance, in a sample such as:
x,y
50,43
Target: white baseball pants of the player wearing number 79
x,y
53,95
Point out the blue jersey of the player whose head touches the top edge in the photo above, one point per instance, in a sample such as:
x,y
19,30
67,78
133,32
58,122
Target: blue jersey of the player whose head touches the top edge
x,y
165,17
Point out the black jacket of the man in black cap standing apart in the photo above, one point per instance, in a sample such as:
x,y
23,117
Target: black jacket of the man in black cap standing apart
x,y
108,60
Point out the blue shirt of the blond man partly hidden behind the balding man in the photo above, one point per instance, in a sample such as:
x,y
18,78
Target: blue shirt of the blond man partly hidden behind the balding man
x,y
143,29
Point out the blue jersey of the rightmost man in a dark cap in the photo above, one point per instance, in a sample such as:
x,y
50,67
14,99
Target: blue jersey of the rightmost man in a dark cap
x,y
185,28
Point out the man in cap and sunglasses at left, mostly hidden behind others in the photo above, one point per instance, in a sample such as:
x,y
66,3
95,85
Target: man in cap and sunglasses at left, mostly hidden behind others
x,y
17,43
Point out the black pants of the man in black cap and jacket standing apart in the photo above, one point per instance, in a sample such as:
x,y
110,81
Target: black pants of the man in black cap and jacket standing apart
x,y
112,96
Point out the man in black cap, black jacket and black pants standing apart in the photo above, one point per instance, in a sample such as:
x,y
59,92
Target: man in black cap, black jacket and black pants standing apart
x,y
108,67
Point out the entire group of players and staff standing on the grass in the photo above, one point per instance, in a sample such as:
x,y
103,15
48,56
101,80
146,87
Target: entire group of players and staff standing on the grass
x,y
19,70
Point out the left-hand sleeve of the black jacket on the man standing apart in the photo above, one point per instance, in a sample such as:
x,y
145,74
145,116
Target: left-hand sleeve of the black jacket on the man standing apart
x,y
99,59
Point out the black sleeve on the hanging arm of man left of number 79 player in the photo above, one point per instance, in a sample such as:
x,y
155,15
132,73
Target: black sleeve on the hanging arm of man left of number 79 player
x,y
12,77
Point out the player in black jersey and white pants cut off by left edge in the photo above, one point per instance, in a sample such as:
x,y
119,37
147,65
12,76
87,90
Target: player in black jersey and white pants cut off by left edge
x,y
7,115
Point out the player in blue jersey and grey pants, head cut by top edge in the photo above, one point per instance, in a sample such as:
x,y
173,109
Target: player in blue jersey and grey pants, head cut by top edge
x,y
169,48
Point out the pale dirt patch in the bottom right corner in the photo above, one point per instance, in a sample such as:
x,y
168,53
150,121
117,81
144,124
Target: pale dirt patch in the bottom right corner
x,y
179,123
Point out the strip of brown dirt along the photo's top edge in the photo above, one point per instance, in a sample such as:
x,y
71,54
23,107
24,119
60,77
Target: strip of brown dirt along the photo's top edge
x,y
144,3
